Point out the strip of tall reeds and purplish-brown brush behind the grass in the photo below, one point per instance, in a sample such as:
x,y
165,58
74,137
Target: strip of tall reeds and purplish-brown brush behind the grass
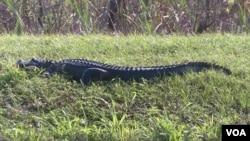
x,y
130,16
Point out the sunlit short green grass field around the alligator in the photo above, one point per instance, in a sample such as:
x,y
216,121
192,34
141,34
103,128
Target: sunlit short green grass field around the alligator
x,y
190,107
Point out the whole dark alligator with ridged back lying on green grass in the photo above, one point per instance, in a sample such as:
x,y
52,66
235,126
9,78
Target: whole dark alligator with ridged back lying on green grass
x,y
87,71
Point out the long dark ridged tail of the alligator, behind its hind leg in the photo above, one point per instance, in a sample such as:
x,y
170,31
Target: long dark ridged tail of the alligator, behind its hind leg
x,y
136,73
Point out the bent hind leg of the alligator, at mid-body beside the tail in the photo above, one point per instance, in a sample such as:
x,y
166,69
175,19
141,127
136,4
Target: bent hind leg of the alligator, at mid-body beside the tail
x,y
94,74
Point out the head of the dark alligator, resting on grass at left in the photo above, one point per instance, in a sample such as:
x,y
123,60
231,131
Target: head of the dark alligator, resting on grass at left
x,y
39,63
